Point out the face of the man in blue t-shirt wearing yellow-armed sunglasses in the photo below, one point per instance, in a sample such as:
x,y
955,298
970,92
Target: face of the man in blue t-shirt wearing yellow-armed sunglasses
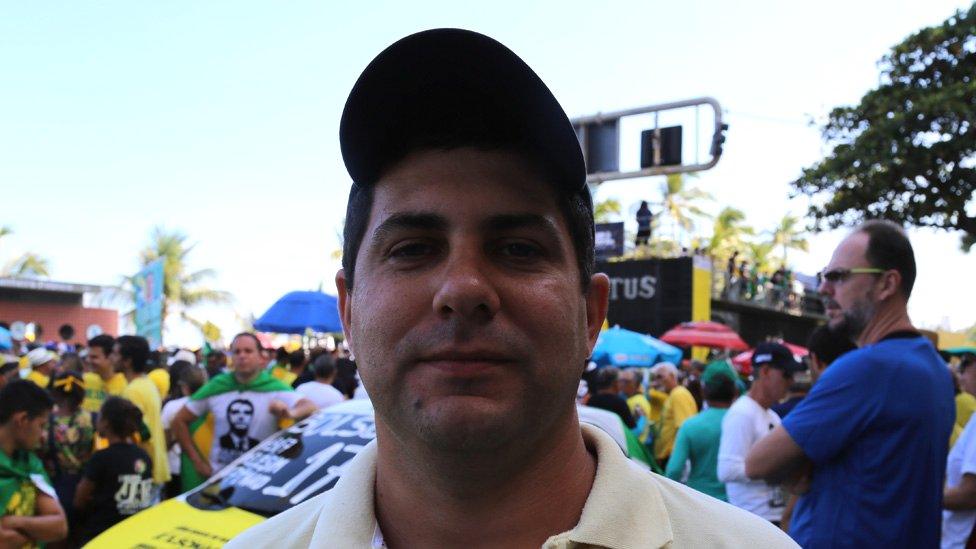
x,y
850,303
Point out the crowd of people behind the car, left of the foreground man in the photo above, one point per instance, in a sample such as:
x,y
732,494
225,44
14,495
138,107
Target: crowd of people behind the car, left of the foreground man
x,y
101,431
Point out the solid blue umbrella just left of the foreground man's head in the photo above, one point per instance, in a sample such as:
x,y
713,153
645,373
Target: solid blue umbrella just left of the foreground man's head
x,y
297,311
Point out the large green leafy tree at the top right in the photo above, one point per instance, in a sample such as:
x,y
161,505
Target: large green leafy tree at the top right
x,y
906,151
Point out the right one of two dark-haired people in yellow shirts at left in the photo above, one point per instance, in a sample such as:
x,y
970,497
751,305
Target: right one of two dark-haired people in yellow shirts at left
x,y
130,355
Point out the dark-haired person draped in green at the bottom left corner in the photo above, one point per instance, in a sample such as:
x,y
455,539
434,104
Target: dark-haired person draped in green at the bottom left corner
x,y
29,509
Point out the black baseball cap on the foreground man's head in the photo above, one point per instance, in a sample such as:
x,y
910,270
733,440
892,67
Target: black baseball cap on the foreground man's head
x,y
454,82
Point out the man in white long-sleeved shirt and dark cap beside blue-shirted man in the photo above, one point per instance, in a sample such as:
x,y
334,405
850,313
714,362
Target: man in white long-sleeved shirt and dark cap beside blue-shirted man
x,y
748,421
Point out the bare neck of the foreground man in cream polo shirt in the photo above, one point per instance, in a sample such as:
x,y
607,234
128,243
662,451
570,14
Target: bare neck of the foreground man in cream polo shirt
x,y
478,502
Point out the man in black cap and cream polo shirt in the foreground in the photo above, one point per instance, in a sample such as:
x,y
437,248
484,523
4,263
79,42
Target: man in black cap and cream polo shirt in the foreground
x,y
468,297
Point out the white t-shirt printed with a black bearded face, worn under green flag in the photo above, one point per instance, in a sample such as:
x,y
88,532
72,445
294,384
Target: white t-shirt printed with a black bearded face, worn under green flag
x,y
241,421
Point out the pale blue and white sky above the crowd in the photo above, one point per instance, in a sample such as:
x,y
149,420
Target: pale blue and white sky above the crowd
x,y
220,119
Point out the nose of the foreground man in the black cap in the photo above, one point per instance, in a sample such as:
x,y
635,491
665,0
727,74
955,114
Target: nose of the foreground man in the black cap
x,y
466,289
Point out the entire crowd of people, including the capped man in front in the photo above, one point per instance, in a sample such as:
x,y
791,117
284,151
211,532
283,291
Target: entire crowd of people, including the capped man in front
x,y
469,296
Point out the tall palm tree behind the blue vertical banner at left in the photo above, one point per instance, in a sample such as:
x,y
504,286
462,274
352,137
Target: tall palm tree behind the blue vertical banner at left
x,y
181,290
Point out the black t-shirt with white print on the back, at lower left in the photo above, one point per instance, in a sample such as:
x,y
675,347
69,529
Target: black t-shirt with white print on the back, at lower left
x,y
122,474
